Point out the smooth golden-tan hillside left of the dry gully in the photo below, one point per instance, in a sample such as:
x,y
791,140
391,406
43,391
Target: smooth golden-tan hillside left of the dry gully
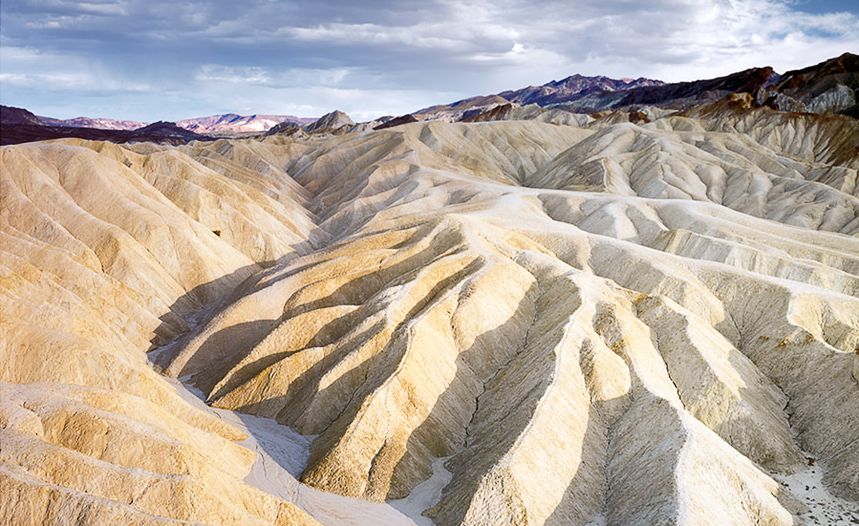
x,y
103,255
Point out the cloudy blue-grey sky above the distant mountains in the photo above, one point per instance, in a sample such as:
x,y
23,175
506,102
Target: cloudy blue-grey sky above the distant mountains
x,y
153,60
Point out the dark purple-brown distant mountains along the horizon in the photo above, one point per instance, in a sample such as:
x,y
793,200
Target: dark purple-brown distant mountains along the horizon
x,y
827,87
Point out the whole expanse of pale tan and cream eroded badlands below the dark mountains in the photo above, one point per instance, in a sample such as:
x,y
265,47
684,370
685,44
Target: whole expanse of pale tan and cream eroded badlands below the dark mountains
x,y
593,322
